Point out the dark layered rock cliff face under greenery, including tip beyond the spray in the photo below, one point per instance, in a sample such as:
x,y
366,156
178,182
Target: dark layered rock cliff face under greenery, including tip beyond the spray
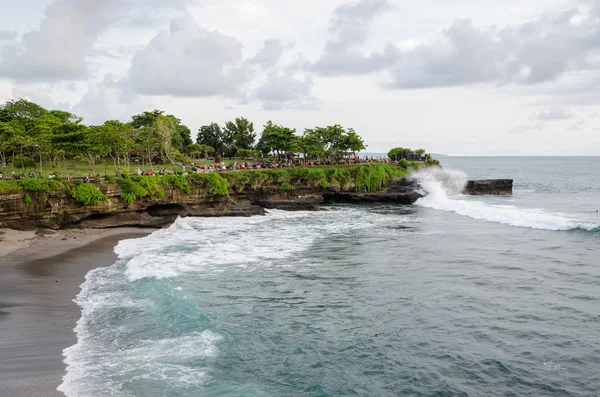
x,y
55,210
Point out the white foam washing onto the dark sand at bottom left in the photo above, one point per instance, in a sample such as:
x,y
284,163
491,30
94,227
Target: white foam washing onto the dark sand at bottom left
x,y
99,359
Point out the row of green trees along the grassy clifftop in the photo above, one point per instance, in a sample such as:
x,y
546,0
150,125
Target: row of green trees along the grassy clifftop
x,y
31,134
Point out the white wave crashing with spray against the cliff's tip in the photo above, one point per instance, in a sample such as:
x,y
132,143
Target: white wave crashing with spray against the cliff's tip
x,y
443,187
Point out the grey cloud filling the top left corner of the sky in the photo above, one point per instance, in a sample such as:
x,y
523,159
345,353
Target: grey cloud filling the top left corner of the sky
x,y
58,49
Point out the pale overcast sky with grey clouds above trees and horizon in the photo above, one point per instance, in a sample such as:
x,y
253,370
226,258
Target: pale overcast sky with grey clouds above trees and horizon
x,y
461,77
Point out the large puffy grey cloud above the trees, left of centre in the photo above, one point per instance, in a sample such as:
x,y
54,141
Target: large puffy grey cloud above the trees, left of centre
x,y
190,61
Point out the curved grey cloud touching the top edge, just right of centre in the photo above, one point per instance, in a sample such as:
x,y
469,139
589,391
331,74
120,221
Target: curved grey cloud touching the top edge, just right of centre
x,y
343,55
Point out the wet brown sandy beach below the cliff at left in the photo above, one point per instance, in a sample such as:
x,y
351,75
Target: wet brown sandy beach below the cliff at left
x,y
39,278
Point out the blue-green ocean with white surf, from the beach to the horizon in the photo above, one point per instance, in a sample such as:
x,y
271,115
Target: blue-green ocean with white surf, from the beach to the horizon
x,y
452,296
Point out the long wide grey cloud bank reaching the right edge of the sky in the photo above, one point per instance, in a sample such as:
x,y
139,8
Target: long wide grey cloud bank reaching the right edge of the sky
x,y
535,52
